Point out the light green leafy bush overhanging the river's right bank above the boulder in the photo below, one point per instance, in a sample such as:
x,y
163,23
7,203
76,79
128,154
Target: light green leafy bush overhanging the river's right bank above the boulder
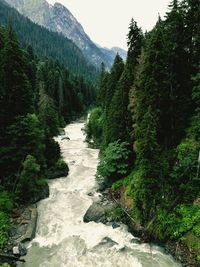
x,y
114,161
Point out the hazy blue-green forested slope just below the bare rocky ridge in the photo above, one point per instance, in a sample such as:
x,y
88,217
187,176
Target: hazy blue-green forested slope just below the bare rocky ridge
x,y
46,43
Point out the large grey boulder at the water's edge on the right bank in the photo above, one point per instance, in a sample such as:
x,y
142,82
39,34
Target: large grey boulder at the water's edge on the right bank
x,y
95,213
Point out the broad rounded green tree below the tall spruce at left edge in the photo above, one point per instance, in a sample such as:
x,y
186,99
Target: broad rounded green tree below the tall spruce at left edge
x,y
27,134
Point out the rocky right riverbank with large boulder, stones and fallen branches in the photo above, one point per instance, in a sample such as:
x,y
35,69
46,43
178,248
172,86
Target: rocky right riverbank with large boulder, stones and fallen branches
x,y
106,206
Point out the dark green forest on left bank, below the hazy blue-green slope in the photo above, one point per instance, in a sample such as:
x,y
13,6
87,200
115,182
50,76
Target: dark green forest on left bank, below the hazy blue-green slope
x,y
37,98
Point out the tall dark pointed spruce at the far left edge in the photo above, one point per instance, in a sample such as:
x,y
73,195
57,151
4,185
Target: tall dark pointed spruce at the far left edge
x,y
17,96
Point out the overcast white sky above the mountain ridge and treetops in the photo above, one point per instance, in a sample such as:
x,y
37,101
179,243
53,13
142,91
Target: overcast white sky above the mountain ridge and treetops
x,y
107,21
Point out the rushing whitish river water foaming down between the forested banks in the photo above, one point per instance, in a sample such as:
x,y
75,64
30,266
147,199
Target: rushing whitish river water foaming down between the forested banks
x,y
64,240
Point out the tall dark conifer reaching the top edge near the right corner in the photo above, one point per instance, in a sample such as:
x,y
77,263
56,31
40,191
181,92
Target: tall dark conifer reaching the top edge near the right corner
x,y
179,69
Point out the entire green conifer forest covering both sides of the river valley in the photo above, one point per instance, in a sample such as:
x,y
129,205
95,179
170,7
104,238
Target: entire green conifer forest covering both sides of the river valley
x,y
144,117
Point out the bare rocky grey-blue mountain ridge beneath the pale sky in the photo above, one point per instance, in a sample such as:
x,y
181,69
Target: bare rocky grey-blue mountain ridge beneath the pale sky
x,y
58,18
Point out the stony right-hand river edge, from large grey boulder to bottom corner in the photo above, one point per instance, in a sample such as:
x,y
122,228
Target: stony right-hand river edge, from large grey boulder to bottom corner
x,y
101,211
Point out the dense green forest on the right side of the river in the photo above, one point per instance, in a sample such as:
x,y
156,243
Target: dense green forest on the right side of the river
x,y
147,125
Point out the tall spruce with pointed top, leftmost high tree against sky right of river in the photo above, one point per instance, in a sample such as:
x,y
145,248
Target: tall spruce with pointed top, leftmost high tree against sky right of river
x,y
119,116
